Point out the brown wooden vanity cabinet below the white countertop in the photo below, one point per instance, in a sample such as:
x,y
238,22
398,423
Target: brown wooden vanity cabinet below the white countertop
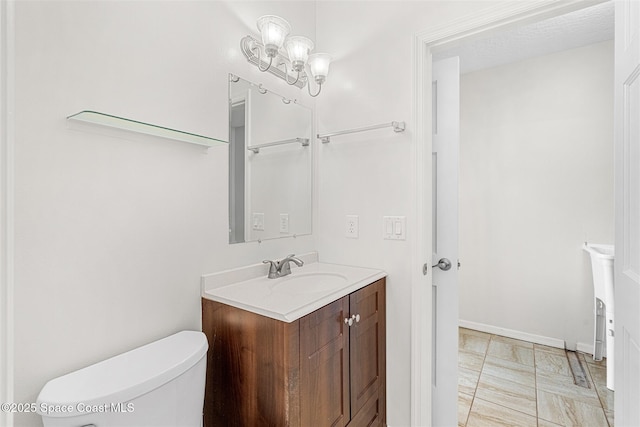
x,y
324,369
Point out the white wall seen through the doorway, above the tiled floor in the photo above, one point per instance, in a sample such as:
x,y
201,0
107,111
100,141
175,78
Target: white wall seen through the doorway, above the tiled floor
x,y
536,182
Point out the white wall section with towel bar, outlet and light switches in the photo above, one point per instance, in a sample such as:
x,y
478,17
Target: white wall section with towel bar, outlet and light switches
x,y
372,174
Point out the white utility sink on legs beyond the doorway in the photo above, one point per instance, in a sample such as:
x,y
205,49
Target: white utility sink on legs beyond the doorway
x,y
602,258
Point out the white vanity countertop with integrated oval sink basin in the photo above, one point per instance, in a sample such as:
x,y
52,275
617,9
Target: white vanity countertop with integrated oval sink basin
x,y
249,288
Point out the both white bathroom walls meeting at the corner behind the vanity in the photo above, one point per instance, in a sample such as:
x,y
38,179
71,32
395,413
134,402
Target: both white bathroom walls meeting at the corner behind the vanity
x,y
113,233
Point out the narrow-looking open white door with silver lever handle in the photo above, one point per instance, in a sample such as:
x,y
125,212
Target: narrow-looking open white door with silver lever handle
x,y
446,141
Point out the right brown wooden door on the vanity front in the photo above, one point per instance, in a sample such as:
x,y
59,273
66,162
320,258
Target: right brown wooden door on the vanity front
x,y
367,348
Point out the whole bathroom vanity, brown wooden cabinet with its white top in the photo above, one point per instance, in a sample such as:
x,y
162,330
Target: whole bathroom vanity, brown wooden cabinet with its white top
x,y
305,365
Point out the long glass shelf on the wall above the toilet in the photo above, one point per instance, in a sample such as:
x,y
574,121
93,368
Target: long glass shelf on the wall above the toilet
x,y
145,128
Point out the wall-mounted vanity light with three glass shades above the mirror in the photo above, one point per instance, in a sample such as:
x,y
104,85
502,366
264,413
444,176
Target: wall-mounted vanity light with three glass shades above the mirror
x,y
285,56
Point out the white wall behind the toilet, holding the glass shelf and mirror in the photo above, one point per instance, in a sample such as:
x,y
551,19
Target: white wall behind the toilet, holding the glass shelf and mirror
x,y
113,230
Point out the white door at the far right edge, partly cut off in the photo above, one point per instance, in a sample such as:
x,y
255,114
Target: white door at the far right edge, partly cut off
x,y
627,217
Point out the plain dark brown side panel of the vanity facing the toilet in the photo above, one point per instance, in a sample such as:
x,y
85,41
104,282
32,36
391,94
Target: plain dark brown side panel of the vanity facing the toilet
x,y
252,364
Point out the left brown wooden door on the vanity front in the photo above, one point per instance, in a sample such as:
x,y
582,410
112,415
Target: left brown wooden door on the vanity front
x,y
324,366
